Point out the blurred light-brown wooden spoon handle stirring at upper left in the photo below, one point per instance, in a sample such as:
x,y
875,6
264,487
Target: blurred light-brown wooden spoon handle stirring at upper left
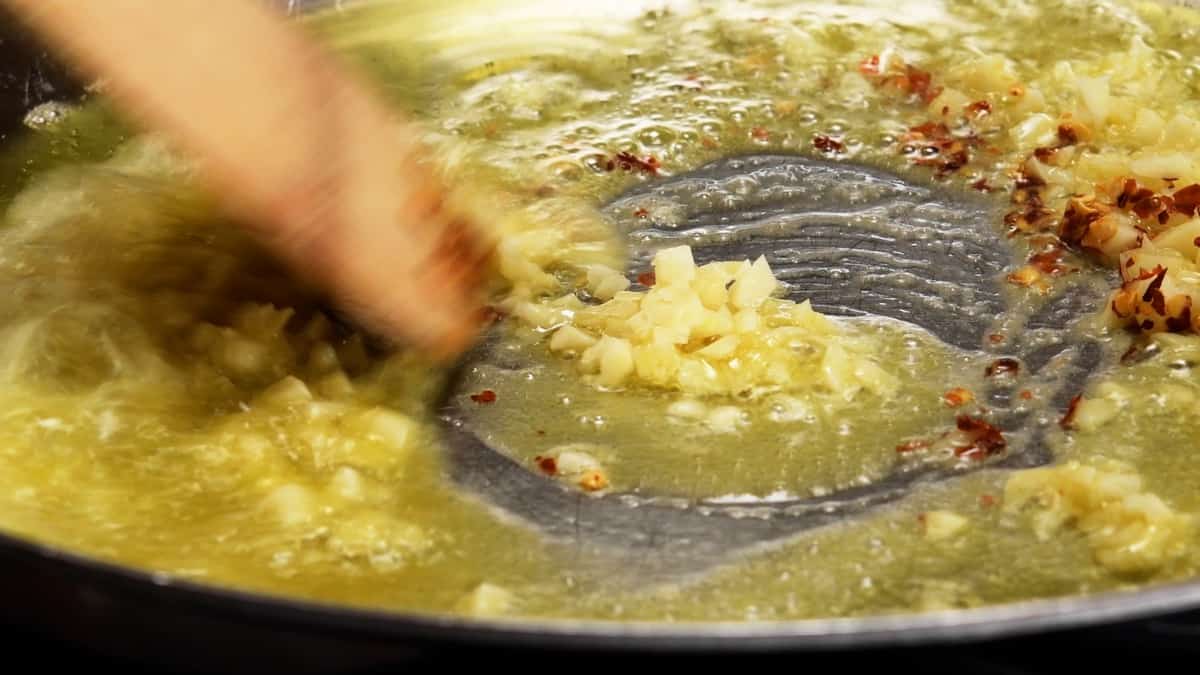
x,y
298,148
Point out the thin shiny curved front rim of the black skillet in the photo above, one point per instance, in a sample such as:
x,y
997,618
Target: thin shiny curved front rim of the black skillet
x,y
989,623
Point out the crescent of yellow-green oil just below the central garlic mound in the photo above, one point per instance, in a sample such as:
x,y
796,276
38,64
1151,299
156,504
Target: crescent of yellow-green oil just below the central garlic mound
x,y
779,445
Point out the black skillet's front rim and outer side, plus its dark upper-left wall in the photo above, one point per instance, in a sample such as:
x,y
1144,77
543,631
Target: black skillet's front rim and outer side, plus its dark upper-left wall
x,y
130,612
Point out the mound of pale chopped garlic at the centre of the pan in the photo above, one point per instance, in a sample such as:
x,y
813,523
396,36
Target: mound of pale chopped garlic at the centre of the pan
x,y
715,330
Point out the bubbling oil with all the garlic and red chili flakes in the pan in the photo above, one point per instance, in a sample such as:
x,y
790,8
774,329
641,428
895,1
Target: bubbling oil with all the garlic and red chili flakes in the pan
x,y
171,402
